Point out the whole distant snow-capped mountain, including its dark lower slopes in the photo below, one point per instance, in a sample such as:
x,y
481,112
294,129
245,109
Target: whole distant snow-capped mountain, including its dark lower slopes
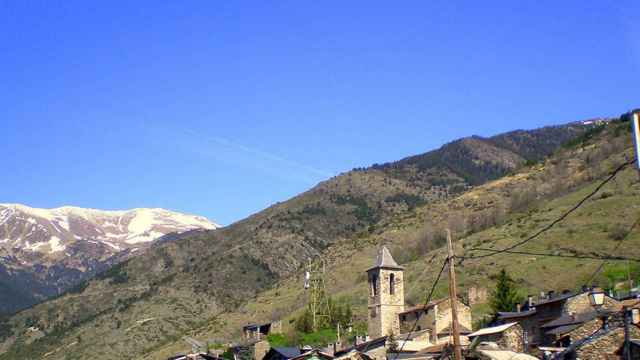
x,y
46,251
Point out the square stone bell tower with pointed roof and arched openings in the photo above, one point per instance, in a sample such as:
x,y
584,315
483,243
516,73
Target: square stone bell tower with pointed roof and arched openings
x,y
386,295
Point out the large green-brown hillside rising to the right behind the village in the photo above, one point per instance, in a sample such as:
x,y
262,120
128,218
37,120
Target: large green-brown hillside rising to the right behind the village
x,y
207,285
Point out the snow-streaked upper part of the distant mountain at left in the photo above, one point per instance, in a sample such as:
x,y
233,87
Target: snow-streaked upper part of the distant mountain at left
x,y
52,230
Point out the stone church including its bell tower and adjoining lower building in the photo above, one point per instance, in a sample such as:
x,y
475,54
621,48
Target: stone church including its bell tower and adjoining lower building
x,y
386,308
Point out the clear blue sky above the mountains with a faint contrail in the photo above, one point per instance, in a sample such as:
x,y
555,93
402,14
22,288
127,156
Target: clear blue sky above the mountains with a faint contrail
x,y
223,108
